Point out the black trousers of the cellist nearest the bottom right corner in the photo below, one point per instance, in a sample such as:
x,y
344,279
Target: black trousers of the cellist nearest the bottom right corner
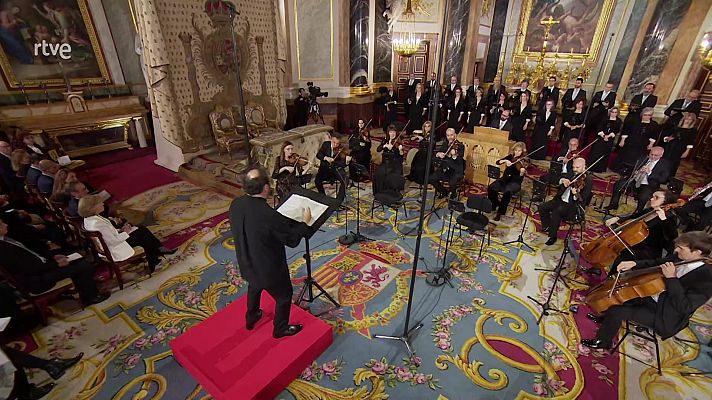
x,y
640,310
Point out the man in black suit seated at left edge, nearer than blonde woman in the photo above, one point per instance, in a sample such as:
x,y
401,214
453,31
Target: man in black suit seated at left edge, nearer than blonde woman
x,y
39,271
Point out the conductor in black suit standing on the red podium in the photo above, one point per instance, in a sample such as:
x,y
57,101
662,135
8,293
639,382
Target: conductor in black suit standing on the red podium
x,y
260,234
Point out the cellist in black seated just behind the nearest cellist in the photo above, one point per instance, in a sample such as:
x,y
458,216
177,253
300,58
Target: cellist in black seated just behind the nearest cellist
x,y
662,229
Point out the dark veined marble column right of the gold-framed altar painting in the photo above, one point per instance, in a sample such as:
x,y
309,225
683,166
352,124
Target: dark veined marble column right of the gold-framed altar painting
x,y
659,40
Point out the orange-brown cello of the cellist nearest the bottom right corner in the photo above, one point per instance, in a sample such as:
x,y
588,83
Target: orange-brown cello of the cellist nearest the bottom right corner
x,y
629,285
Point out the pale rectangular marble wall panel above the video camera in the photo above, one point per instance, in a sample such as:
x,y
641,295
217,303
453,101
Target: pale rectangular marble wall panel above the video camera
x,y
314,25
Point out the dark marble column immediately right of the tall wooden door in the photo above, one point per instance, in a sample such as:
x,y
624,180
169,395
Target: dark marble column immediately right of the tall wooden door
x,y
456,37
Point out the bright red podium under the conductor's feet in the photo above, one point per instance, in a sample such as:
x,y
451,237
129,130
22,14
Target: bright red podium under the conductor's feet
x,y
231,362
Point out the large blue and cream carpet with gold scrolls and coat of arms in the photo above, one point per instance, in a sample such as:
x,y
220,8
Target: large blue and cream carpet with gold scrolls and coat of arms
x,y
480,339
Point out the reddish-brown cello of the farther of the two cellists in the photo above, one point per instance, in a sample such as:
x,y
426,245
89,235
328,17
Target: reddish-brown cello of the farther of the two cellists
x,y
602,251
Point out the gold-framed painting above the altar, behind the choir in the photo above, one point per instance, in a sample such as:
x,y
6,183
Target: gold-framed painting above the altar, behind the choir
x,y
577,32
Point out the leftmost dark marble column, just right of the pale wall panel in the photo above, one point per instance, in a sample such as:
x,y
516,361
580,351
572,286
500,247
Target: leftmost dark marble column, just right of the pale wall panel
x,y
358,42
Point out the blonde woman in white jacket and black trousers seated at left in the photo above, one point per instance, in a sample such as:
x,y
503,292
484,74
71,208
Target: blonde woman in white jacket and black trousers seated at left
x,y
120,241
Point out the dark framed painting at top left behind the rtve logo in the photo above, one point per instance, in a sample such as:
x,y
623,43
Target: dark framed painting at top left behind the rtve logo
x,y
48,42
